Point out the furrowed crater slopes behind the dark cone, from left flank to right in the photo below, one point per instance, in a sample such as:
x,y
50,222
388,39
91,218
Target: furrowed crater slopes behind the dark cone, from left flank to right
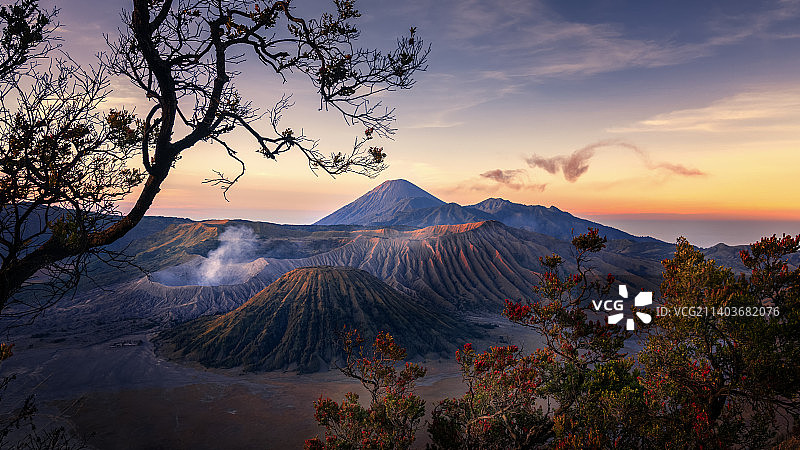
x,y
467,267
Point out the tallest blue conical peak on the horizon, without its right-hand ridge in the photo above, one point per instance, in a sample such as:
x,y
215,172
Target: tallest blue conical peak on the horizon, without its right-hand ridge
x,y
381,204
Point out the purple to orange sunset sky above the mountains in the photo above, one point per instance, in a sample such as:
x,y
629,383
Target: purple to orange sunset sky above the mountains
x,y
660,118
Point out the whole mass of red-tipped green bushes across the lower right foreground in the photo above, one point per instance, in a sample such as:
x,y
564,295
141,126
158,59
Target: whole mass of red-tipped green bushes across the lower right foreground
x,y
726,375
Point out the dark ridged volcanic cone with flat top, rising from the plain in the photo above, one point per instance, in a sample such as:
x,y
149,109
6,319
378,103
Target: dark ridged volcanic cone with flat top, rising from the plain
x,y
293,323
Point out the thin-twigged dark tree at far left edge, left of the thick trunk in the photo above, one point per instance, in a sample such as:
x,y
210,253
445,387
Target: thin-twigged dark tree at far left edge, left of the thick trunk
x,y
63,162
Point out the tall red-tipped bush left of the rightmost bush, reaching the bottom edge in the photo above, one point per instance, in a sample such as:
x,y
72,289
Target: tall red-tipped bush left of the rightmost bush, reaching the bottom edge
x,y
552,396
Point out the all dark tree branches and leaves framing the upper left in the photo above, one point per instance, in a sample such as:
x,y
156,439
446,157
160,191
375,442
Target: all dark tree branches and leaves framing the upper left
x,y
65,165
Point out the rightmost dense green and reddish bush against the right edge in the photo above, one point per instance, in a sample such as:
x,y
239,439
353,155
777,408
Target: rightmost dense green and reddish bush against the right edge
x,y
731,377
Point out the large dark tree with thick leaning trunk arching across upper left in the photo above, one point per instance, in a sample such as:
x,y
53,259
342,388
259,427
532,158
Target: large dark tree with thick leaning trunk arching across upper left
x,y
183,55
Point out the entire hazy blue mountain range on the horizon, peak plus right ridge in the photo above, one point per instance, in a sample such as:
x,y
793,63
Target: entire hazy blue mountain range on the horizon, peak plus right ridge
x,y
401,203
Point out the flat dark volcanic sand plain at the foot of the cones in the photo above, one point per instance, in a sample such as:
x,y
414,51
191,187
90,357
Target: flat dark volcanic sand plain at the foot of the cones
x,y
124,397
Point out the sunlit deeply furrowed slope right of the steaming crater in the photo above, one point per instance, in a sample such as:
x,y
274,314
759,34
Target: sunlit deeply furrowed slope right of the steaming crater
x,y
470,267
